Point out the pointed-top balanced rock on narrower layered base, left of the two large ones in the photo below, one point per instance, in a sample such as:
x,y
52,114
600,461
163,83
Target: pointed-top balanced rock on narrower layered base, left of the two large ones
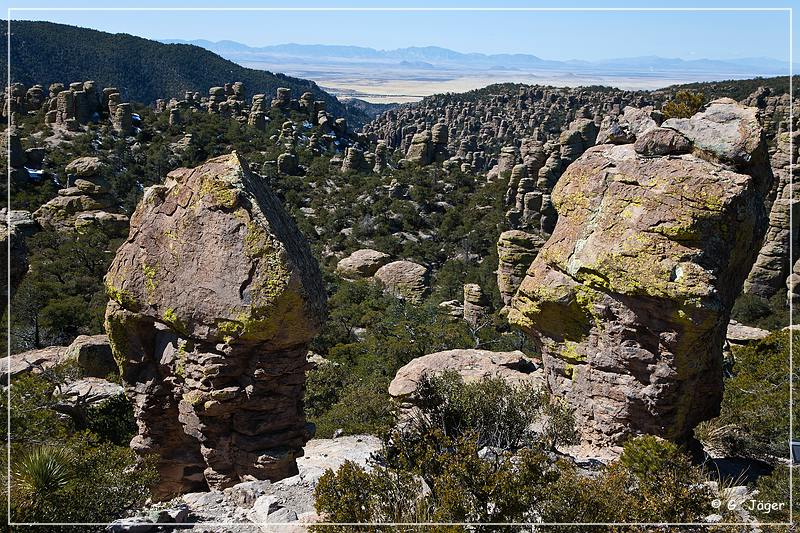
x,y
214,298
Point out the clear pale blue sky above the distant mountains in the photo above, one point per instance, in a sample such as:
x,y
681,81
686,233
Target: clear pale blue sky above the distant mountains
x,y
551,35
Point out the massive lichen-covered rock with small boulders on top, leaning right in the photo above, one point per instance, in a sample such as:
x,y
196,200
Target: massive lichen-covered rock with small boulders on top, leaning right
x,y
630,297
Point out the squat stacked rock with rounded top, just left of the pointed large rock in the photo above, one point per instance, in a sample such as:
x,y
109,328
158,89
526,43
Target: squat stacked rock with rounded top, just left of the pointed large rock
x,y
86,201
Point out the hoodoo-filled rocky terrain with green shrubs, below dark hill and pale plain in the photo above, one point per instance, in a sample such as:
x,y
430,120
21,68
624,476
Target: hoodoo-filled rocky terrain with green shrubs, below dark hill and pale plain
x,y
532,292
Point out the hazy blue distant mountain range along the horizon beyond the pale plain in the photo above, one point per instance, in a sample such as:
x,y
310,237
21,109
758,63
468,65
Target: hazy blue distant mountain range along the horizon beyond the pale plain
x,y
429,57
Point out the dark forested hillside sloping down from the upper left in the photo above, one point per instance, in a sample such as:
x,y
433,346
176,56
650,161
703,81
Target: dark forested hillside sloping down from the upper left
x,y
144,70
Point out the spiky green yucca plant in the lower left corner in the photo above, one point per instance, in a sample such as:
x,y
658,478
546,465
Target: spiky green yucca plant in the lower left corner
x,y
40,473
